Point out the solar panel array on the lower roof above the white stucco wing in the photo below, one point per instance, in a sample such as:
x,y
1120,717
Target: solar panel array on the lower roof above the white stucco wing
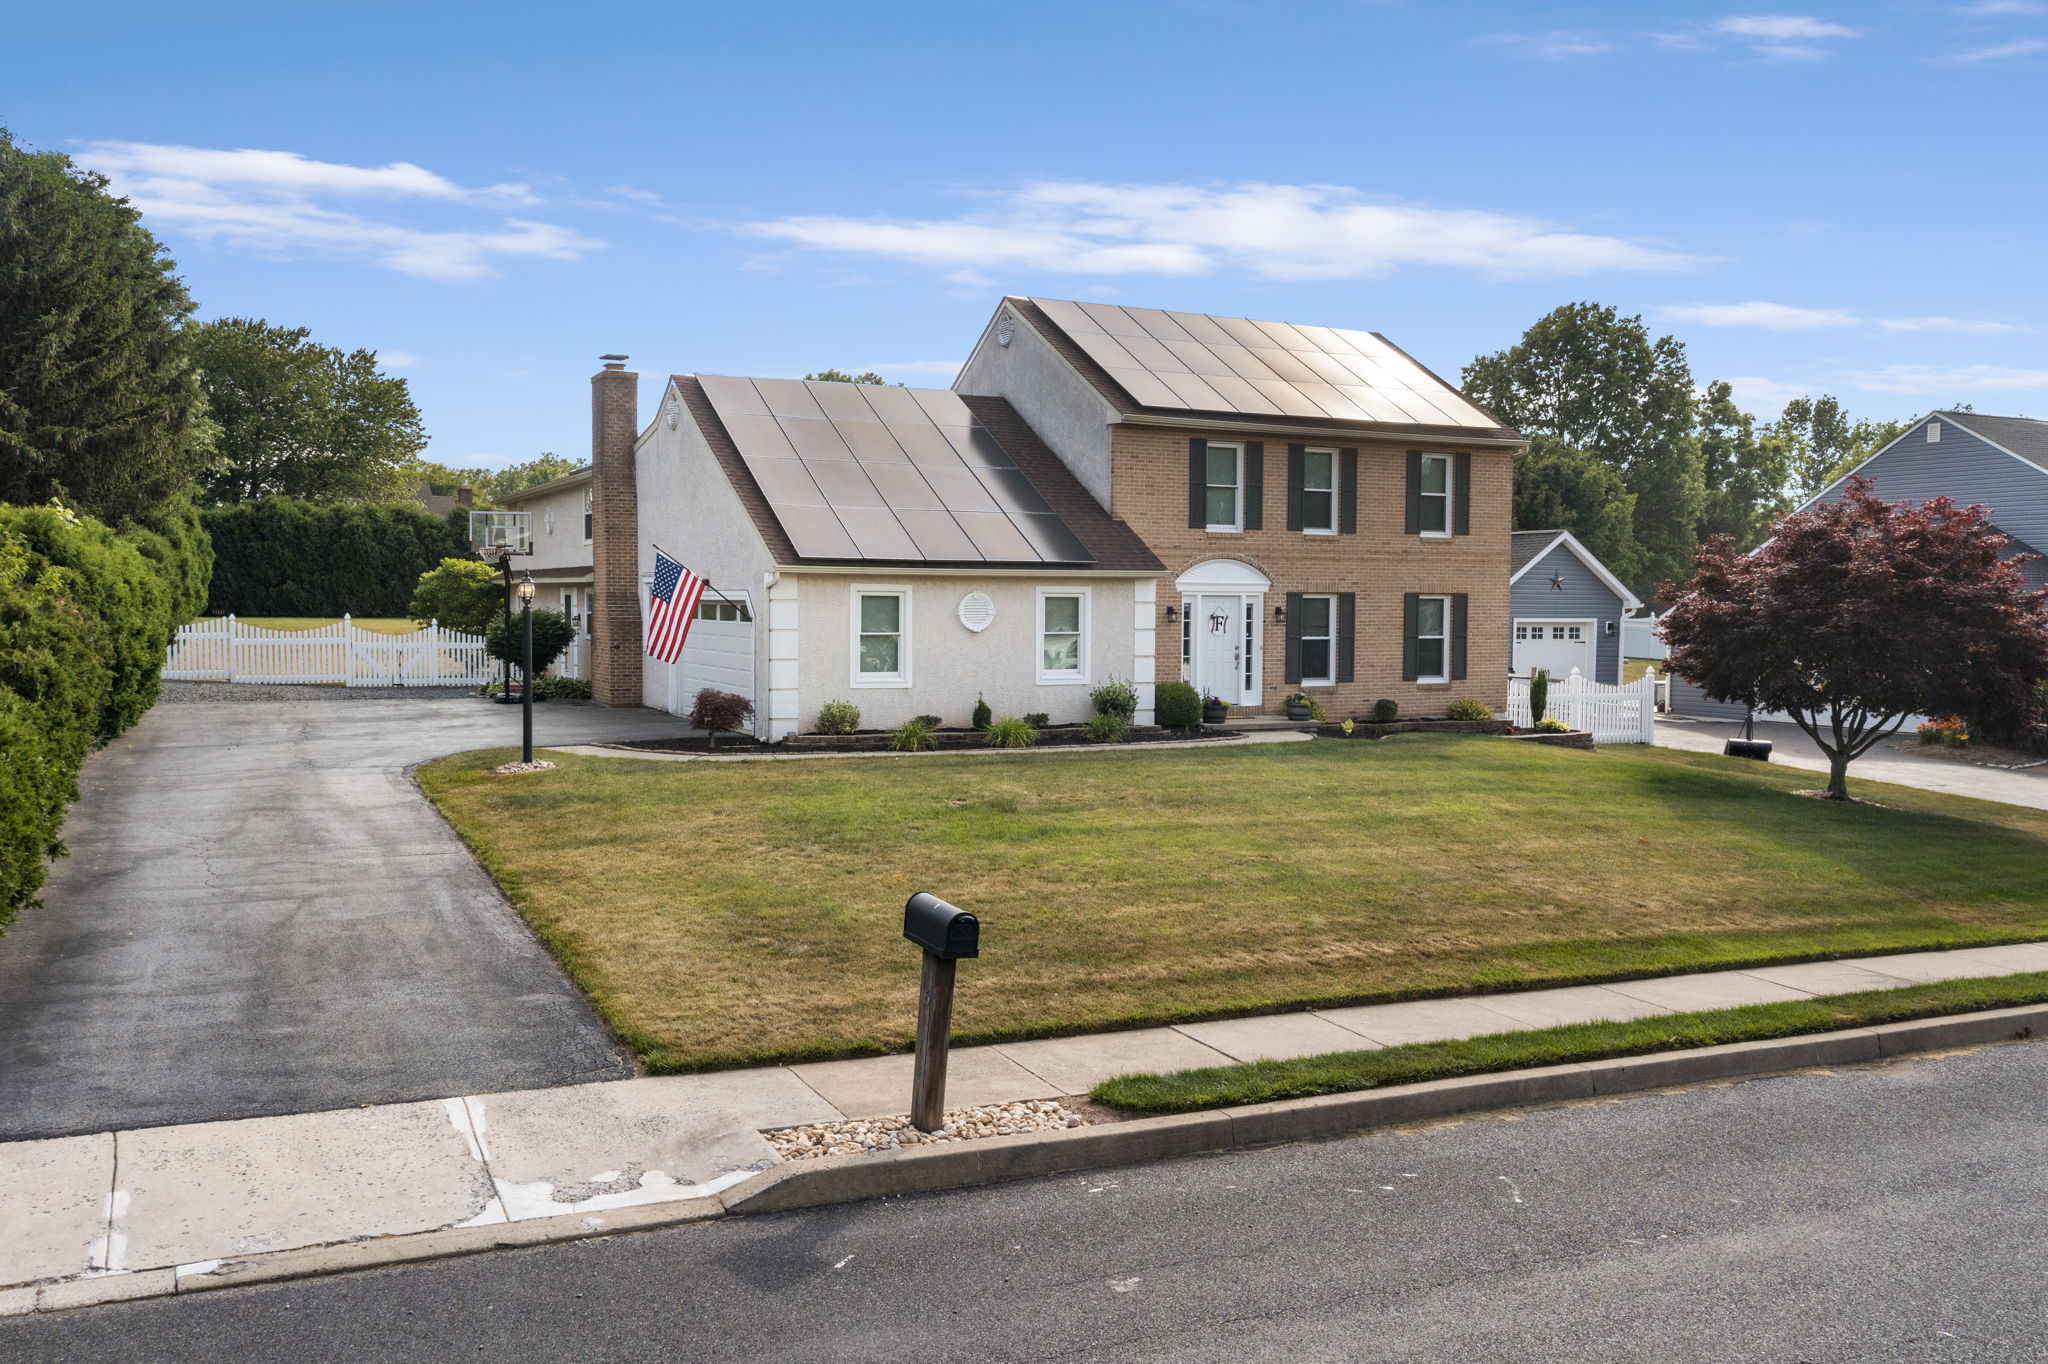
x,y
863,472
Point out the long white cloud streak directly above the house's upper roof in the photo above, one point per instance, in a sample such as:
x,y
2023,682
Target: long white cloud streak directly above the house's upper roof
x,y
1291,232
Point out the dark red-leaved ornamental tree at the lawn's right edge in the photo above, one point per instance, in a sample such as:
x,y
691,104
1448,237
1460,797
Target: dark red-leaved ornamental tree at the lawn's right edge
x,y
1859,615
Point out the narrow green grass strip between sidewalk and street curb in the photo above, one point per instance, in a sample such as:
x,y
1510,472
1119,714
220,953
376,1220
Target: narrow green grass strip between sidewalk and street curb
x,y
1345,1072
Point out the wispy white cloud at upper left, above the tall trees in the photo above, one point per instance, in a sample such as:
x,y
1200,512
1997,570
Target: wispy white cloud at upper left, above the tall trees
x,y
284,204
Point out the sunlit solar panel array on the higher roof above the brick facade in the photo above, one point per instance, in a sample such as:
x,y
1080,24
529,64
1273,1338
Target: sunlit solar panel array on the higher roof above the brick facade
x,y
1203,364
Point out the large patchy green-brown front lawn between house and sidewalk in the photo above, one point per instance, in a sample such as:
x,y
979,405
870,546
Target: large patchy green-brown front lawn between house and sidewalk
x,y
730,914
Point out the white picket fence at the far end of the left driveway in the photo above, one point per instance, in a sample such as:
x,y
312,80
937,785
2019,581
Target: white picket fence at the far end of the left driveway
x,y
228,650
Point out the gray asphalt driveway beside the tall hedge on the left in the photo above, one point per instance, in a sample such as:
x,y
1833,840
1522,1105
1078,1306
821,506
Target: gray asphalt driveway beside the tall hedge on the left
x,y
263,914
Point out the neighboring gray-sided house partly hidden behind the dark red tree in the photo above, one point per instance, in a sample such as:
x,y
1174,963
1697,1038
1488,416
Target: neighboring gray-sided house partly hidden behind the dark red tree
x,y
1996,462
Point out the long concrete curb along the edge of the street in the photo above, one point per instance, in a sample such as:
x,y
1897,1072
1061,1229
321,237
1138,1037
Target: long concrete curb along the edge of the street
x,y
1000,1160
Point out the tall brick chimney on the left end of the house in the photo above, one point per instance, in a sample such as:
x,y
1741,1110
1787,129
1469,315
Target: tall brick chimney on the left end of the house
x,y
615,654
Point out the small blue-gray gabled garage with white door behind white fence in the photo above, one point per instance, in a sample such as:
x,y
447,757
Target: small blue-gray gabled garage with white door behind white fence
x,y
1566,609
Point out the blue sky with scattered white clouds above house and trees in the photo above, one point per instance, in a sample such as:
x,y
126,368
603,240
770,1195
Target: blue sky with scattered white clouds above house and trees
x,y
1828,198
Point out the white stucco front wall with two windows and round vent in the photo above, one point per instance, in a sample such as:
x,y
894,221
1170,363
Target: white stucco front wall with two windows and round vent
x,y
951,665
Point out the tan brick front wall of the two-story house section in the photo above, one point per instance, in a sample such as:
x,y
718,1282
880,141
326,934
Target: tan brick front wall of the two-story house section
x,y
1379,564
